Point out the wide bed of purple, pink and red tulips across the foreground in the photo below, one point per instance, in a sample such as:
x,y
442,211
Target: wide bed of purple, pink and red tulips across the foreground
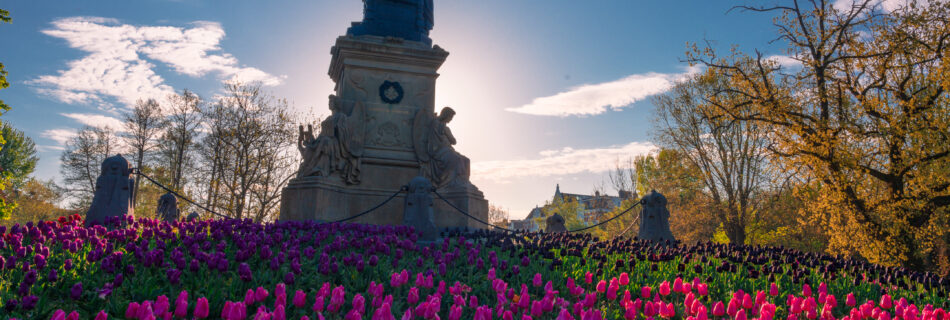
x,y
237,269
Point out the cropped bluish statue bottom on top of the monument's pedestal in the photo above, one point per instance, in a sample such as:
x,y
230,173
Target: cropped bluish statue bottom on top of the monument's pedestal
x,y
407,19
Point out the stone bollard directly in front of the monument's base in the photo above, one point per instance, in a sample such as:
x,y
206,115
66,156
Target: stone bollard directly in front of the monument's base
x,y
418,209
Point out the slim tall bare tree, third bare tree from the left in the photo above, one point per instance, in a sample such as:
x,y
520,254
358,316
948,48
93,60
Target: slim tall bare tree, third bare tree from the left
x,y
179,136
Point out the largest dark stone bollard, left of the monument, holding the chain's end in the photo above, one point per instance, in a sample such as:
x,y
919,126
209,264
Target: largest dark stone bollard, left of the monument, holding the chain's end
x,y
114,191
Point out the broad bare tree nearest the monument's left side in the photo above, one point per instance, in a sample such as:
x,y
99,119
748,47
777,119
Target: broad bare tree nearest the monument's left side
x,y
248,151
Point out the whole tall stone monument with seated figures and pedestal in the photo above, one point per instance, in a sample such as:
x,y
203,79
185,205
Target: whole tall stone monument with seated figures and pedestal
x,y
382,130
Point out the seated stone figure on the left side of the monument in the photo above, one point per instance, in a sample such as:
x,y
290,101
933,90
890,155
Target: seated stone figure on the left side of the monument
x,y
337,149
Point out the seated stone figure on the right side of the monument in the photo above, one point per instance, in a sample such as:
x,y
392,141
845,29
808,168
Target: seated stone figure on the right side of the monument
x,y
433,143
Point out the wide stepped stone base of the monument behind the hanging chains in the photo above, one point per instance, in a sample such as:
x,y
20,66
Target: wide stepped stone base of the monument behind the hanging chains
x,y
330,199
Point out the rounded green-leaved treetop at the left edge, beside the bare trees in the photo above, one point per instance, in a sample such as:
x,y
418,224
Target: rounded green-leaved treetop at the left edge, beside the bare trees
x,y
17,155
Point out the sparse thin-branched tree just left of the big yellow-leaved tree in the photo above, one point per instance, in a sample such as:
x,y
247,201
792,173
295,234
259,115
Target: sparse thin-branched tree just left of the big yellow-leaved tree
x,y
731,155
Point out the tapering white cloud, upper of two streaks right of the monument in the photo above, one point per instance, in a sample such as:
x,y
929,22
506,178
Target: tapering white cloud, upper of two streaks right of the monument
x,y
592,99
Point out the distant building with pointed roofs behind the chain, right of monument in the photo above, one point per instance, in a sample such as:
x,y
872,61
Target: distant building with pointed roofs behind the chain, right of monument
x,y
593,207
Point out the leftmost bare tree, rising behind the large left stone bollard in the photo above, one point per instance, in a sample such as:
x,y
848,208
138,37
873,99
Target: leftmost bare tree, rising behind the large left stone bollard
x,y
81,161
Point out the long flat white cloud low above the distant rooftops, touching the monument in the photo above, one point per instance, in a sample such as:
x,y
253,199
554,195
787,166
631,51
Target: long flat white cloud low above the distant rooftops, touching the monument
x,y
559,162
